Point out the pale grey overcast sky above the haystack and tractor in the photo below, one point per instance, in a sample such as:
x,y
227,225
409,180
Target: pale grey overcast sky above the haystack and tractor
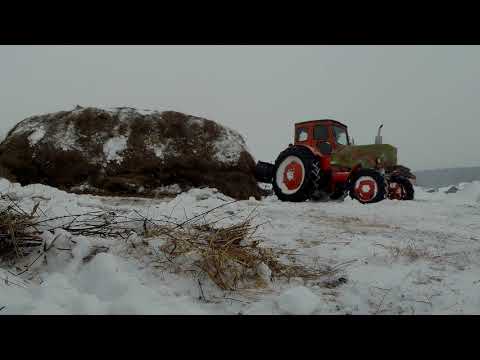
x,y
427,97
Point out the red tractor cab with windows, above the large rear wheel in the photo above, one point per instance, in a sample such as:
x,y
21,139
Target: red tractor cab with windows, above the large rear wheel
x,y
321,133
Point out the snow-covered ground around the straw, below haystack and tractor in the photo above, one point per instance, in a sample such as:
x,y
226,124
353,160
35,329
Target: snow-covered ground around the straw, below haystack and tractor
x,y
413,257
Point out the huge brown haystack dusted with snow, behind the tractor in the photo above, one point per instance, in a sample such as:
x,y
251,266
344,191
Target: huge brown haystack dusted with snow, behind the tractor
x,y
127,151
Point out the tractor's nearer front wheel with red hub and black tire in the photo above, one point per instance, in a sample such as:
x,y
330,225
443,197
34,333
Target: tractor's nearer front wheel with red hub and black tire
x,y
375,195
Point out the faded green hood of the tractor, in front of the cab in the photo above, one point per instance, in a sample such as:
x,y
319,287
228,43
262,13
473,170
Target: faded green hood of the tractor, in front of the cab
x,y
366,155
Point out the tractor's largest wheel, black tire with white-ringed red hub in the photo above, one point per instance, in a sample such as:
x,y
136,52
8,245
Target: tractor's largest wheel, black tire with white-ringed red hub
x,y
295,174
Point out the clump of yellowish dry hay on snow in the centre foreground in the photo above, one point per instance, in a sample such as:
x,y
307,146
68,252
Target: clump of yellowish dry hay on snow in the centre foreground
x,y
231,256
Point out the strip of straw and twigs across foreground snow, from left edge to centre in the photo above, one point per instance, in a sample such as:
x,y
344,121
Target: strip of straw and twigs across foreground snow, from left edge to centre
x,y
231,256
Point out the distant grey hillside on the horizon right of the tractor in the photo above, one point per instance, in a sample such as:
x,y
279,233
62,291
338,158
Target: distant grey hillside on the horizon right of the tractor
x,y
444,177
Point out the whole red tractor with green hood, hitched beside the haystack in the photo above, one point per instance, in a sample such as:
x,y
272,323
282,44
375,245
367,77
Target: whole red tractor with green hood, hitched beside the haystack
x,y
323,165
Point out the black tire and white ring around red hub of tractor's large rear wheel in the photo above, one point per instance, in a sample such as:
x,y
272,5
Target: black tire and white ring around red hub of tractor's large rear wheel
x,y
311,172
